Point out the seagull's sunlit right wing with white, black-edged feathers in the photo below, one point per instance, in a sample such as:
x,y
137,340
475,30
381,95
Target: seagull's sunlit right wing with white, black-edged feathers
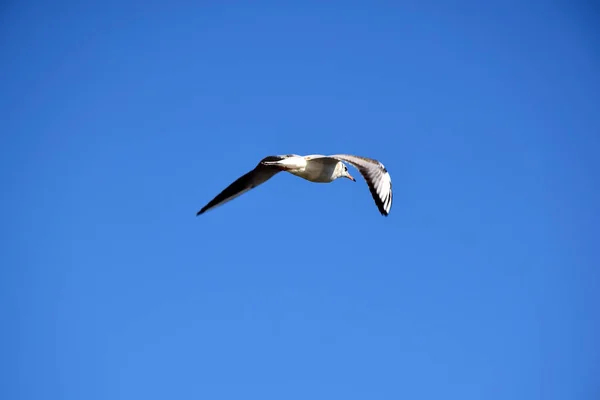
x,y
377,177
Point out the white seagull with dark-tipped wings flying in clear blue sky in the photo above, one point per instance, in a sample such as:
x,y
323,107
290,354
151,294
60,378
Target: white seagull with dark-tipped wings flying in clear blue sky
x,y
314,168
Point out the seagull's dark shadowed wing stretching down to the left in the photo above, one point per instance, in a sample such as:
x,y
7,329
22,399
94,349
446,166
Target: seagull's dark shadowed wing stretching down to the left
x,y
252,179
